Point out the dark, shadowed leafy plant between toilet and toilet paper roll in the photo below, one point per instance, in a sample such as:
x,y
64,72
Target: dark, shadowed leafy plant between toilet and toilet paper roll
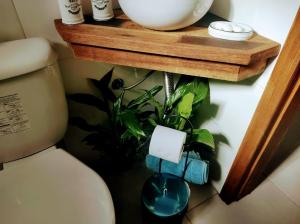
x,y
119,138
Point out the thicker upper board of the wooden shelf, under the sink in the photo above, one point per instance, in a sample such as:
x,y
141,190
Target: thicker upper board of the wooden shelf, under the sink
x,y
191,43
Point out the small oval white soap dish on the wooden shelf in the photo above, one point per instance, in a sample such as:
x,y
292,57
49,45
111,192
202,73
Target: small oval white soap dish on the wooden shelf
x,y
230,31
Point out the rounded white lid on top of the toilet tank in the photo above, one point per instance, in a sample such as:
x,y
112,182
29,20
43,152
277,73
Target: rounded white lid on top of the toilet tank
x,y
20,57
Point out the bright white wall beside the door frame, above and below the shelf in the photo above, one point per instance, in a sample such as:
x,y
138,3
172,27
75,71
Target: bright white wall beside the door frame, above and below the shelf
x,y
237,101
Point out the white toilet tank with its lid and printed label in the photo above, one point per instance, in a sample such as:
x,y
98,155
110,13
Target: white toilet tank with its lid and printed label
x,y
33,109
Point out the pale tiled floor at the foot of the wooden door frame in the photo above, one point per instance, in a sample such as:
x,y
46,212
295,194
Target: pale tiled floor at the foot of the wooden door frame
x,y
276,201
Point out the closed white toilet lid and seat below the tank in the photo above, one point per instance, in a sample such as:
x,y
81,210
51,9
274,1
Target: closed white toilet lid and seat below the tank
x,y
53,187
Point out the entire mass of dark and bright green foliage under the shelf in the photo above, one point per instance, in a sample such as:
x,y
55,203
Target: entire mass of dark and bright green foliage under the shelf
x,y
122,139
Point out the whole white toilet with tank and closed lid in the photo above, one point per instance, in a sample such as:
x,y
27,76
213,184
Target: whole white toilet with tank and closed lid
x,y
39,183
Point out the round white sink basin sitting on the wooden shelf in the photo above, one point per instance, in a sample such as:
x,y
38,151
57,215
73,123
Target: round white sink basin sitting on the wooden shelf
x,y
165,14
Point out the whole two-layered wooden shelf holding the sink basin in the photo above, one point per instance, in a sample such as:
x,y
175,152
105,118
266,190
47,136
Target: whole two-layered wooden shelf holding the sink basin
x,y
189,51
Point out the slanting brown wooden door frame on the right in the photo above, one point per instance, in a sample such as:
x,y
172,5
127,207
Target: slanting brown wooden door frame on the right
x,y
269,123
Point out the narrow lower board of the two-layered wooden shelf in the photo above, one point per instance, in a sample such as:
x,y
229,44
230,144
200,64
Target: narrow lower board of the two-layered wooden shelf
x,y
230,72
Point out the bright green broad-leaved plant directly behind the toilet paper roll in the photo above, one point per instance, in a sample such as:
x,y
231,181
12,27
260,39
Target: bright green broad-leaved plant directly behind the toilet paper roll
x,y
190,93
